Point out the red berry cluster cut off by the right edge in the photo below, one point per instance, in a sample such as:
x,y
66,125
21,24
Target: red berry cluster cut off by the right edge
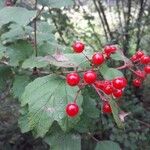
x,y
141,63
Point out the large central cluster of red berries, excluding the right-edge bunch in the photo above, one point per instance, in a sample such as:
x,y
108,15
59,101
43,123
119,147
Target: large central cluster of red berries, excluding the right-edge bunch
x,y
105,89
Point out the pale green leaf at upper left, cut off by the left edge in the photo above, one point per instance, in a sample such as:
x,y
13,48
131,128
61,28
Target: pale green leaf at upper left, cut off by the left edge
x,y
20,15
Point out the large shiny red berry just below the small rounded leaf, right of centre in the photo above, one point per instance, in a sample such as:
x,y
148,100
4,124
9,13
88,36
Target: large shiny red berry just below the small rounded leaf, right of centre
x,y
119,83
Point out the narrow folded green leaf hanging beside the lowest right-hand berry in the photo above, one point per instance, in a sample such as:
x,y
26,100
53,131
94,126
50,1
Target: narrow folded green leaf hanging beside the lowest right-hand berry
x,y
115,112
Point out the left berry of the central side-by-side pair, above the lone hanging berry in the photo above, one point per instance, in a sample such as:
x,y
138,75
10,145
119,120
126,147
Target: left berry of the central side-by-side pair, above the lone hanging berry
x,y
73,79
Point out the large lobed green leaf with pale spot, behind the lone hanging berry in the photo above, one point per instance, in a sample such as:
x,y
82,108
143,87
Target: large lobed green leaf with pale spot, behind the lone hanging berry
x,y
46,105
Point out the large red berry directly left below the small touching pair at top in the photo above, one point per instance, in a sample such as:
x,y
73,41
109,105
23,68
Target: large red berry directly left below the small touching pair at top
x,y
97,59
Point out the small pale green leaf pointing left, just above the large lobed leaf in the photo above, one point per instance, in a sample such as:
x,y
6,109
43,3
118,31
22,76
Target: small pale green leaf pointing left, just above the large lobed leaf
x,y
32,62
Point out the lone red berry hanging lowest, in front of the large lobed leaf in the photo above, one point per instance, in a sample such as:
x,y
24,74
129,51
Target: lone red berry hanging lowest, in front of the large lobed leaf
x,y
72,109
